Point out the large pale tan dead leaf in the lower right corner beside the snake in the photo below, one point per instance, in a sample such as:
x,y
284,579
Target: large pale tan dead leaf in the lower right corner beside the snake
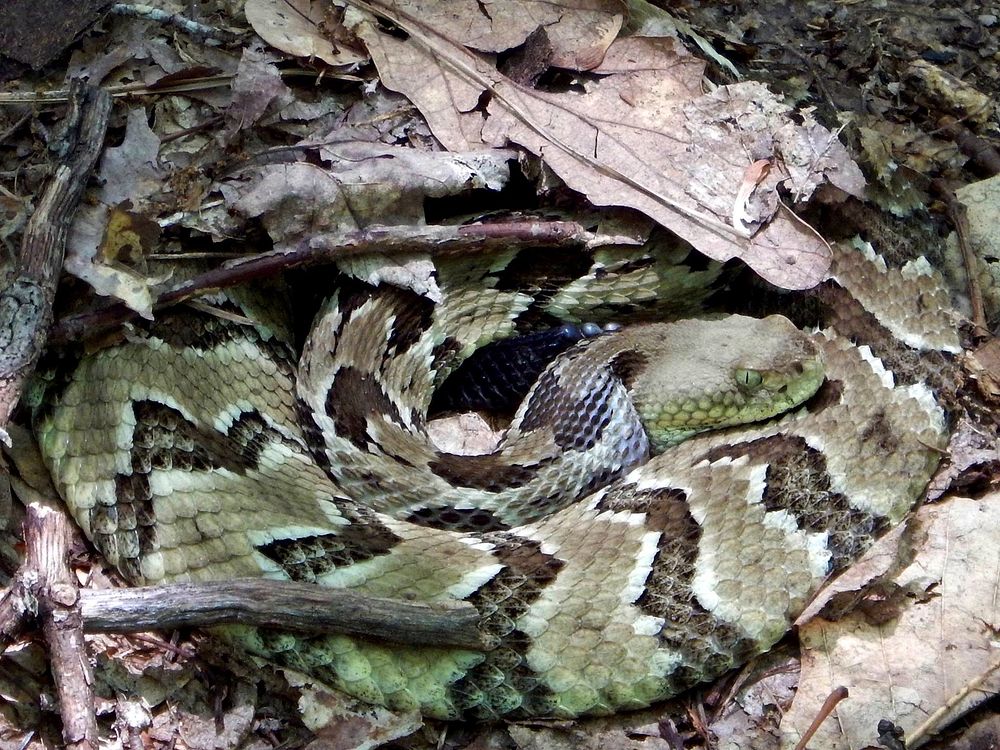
x,y
941,643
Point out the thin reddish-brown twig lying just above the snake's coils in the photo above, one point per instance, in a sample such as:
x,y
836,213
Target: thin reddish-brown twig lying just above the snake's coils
x,y
439,240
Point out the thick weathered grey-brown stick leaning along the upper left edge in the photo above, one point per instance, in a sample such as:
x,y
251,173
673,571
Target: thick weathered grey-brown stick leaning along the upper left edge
x,y
26,303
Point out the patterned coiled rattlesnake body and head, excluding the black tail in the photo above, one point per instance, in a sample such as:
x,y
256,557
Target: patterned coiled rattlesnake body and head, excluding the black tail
x,y
199,449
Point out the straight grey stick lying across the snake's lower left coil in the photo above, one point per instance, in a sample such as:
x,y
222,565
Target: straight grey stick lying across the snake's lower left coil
x,y
284,605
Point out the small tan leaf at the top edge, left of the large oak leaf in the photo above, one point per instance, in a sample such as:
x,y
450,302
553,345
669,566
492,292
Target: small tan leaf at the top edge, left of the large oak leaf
x,y
301,28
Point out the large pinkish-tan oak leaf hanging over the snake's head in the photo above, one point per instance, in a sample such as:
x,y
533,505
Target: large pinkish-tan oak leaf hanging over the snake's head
x,y
641,135
